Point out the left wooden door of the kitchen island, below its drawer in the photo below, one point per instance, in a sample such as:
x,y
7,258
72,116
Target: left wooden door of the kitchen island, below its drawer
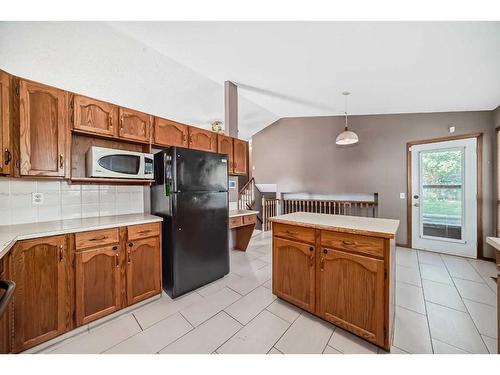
x,y
294,272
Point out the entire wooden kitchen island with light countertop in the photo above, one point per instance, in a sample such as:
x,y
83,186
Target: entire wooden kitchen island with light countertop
x,y
340,268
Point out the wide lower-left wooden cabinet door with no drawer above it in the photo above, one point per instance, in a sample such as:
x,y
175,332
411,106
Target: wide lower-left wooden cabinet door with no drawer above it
x,y
41,305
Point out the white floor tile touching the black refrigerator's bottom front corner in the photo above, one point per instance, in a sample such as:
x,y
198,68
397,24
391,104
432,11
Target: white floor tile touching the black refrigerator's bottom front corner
x,y
163,308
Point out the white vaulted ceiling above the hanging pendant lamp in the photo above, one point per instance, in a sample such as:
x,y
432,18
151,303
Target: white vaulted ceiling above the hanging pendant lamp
x,y
300,68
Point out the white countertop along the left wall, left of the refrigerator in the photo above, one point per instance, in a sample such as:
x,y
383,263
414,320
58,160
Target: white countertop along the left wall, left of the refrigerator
x,y
9,234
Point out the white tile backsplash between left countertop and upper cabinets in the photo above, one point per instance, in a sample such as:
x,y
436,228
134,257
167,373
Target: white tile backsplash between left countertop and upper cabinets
x,y
65,201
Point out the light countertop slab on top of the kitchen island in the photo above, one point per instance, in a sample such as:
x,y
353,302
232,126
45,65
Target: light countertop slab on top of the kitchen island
x,y
385,228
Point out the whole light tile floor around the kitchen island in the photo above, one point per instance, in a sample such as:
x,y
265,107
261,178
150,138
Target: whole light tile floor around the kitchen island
x,y
445,304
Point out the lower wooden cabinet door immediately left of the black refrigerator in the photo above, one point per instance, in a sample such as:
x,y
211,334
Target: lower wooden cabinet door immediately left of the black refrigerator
x,y
143,269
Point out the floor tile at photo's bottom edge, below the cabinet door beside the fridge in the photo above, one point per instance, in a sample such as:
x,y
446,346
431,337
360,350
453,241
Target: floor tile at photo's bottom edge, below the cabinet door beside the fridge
x,y
155,338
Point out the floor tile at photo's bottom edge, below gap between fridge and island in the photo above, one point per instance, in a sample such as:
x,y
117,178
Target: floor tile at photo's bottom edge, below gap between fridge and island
x,y
257,337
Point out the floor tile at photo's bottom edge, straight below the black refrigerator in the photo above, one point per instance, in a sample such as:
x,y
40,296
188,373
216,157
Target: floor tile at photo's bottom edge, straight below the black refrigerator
x,y
205,338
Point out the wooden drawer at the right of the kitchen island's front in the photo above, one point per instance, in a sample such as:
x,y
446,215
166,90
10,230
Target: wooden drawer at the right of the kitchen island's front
x,y
353,243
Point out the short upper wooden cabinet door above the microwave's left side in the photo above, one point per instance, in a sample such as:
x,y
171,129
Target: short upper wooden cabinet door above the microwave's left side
x,y
94,116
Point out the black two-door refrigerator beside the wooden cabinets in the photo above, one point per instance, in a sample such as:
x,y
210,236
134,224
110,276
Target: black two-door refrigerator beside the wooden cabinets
x,y
190,192
